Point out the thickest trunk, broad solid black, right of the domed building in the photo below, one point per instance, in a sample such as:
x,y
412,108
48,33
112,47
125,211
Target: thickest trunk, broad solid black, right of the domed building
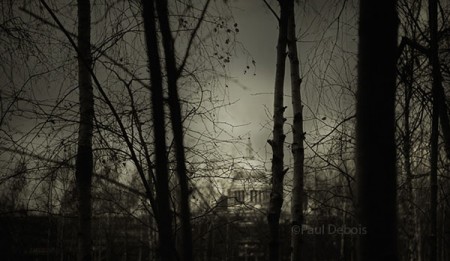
x,y
375,129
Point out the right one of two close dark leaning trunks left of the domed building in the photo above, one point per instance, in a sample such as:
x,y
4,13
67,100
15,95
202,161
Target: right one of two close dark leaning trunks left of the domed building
x,y
177,127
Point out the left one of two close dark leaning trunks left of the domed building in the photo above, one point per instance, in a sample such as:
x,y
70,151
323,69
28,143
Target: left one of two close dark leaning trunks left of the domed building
x,y
166,239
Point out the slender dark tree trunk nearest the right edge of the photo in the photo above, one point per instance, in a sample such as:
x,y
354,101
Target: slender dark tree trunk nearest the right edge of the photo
x,y
436,74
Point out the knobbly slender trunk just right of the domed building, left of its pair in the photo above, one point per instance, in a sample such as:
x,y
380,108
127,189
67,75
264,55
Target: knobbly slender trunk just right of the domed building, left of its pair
x,y
277,142
